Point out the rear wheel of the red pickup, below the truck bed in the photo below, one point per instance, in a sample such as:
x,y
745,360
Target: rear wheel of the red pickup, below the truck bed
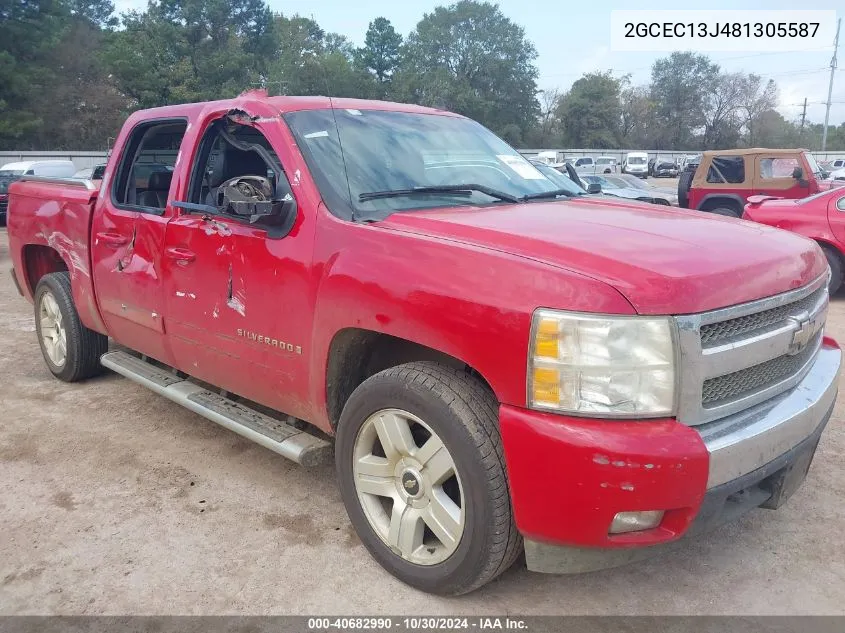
x,y
82,347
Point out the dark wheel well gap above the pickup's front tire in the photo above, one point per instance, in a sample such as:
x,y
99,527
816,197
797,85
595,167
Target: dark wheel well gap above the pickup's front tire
x,y
355,354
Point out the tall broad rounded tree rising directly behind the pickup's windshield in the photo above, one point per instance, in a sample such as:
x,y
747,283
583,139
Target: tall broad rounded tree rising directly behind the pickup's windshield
x,y
470,58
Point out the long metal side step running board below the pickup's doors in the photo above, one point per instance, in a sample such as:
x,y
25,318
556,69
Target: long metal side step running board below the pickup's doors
x,y
282,438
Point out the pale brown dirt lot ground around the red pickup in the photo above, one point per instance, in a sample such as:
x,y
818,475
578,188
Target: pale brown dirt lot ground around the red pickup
x,y
115,501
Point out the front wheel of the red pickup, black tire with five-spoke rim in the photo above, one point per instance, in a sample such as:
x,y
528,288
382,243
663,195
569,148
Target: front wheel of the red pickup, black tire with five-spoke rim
x,y
459,410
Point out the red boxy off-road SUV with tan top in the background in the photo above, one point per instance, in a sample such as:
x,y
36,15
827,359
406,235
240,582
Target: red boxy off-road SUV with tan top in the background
x,y
725,179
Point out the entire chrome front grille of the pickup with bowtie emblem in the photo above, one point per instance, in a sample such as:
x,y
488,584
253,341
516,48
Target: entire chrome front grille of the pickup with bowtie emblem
x,y
736,357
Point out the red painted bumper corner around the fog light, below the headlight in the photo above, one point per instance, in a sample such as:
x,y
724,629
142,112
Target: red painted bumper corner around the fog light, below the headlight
x,y
570,476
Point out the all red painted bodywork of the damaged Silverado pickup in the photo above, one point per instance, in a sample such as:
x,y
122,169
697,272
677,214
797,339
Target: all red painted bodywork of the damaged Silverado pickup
x,y
464,282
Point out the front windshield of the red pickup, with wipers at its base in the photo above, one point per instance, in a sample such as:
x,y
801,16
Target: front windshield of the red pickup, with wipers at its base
x,y
369,164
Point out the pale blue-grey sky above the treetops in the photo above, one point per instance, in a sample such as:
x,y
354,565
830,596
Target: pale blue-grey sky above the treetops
x,y
573,37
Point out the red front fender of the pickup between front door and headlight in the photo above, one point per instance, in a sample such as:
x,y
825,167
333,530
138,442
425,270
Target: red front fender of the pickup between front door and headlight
x,y
465,301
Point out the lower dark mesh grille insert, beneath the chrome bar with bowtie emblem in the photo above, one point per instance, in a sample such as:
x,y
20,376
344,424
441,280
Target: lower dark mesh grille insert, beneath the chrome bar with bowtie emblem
x,y
745,381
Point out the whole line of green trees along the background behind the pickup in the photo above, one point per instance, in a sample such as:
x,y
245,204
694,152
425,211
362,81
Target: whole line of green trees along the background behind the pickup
x,y
70,72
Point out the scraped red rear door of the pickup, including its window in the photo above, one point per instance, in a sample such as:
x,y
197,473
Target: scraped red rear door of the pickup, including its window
x,y
127,236
